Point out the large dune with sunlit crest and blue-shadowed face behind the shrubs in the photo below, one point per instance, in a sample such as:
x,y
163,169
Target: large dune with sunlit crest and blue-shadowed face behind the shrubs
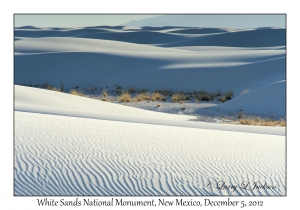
x,y
38,60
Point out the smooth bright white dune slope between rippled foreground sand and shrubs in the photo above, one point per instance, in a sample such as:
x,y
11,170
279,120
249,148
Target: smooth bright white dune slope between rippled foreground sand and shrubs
x,y
40,101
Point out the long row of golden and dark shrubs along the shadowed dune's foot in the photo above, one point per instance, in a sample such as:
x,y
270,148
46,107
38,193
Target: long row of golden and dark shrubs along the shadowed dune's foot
x,y
131,94
